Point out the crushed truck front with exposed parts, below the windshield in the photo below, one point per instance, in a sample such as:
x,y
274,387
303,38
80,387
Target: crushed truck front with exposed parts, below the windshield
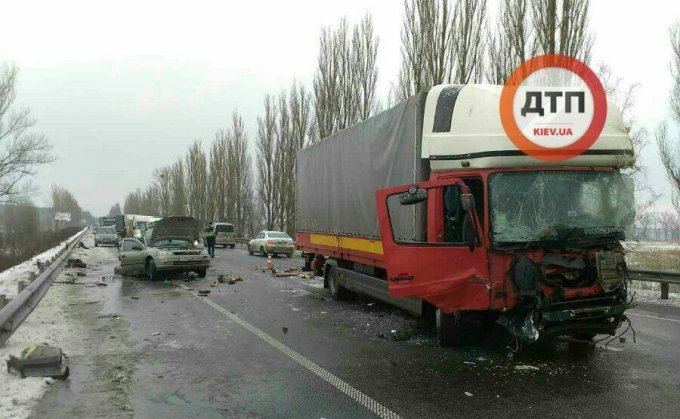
x,y
576,295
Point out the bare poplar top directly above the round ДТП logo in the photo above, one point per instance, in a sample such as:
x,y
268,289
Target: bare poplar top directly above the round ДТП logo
x,y
561,27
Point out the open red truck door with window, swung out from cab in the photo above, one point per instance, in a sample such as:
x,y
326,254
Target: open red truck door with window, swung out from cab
x,y
433,243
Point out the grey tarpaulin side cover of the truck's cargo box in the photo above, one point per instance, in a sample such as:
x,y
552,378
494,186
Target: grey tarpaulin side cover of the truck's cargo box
x,y
338,177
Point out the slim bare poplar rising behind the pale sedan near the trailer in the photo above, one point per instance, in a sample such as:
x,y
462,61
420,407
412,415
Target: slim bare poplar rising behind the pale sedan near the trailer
x,y
266,162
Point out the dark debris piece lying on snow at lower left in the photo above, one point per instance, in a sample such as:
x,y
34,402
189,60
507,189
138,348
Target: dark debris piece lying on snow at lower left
x,y
38,361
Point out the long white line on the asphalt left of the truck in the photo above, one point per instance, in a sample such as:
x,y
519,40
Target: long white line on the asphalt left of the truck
x,y
322,373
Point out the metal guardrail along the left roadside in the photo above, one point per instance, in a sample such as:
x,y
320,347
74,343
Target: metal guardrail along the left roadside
x,y
28,297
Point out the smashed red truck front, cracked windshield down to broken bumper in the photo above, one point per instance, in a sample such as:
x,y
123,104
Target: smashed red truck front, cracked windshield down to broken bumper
x,y
557,256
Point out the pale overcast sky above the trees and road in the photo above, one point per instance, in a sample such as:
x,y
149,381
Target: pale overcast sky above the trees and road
x,y
125,88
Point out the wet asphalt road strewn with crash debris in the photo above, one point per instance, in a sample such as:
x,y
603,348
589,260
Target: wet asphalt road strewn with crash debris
x,y
280,347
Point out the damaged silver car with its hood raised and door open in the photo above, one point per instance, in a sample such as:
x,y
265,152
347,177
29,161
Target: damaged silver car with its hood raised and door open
x,y
173,248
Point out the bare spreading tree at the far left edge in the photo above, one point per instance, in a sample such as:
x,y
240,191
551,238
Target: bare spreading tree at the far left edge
x,y
21,150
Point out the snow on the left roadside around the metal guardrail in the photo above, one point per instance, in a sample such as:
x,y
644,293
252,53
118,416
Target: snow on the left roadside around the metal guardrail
x,y
47,324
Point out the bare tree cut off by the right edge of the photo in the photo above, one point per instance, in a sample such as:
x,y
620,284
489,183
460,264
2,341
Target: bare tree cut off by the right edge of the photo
x,y
669,145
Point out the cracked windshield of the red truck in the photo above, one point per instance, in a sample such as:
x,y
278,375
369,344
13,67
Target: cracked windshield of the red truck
x,y
559,206
